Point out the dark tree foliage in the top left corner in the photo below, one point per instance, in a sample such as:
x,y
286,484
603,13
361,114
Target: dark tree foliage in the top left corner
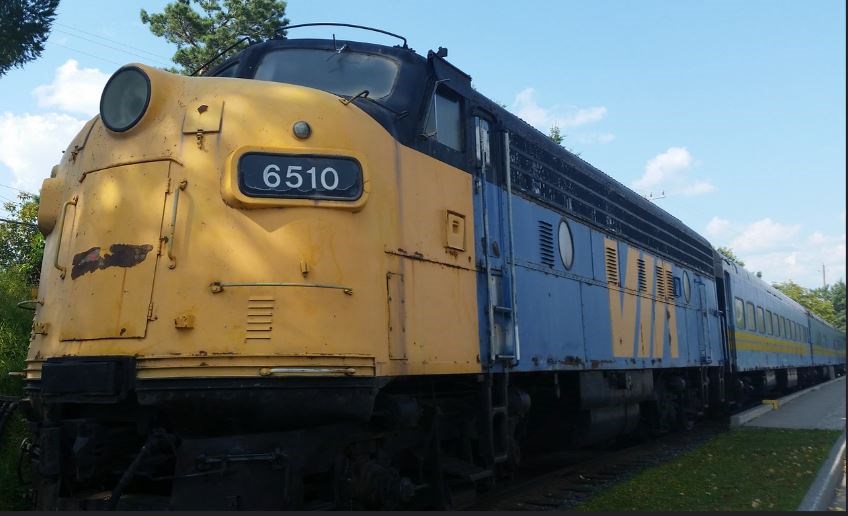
x,y
24,28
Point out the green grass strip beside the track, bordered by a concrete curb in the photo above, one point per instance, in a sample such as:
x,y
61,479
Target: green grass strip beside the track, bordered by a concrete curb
x,y
746,469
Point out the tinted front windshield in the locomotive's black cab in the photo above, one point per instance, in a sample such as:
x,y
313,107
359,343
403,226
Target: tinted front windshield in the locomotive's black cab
x,y
341,72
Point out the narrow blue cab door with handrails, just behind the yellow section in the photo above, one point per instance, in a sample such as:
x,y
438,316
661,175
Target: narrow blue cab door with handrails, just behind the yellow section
x,y
496,207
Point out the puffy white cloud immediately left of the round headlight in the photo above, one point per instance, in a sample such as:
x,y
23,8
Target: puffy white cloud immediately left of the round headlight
x,y
73,90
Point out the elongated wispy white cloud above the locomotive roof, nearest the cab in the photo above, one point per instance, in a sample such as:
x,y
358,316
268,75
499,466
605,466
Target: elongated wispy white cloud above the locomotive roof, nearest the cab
x,y
527,107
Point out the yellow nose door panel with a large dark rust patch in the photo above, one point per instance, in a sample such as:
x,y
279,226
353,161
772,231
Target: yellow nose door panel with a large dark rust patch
x,y
114,245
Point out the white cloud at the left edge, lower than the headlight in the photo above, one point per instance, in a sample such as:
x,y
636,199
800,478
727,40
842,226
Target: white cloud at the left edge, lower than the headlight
x,y
32,144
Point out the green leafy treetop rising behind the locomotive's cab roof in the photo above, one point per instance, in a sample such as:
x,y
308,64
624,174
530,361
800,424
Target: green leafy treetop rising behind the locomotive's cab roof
x,y
200,36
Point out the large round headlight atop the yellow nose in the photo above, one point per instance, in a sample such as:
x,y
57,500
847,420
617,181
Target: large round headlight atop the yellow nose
x,y
125,99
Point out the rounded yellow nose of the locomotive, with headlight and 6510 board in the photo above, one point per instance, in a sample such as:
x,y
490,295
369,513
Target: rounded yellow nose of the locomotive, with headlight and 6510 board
x,y
175,235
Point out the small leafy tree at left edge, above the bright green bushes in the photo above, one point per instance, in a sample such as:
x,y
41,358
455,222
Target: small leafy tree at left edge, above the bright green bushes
x,y
23,244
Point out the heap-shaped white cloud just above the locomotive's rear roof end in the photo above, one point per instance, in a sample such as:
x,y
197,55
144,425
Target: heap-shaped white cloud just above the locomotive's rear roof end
x,y
669,172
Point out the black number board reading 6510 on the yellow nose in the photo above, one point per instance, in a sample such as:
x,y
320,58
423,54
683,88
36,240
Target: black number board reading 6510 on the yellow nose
x,y
299,177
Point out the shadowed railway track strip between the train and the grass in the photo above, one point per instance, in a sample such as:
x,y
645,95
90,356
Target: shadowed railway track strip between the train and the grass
x,y
562,481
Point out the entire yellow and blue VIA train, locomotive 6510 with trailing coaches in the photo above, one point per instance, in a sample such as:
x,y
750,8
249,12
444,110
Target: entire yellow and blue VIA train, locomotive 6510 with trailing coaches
x,y
331,274
